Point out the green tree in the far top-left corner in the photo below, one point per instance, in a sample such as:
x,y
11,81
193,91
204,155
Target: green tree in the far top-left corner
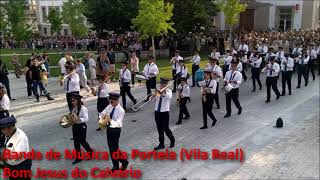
x,y
17,25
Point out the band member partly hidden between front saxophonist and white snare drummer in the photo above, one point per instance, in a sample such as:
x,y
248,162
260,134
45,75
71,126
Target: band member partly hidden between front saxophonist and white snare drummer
x,y
217,73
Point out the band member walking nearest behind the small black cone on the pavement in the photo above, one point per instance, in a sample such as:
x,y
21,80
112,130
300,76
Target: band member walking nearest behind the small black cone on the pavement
x,y
272,69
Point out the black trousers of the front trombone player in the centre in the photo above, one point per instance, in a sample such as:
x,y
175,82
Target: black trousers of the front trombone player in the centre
x,y
162,121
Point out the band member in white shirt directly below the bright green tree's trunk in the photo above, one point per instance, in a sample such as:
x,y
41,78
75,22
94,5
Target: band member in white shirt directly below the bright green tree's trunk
x,y
150,71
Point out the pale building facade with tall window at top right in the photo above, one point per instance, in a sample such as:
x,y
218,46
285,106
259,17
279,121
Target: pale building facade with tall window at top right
x,y
276,14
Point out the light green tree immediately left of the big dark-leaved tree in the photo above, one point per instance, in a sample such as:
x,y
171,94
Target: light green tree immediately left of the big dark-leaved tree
x,y
72,14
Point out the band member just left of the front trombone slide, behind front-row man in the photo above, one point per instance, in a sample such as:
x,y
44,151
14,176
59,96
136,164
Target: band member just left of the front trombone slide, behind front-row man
x,y
124,80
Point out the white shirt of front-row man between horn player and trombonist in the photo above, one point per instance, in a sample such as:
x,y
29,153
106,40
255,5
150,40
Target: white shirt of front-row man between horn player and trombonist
x,y
117,117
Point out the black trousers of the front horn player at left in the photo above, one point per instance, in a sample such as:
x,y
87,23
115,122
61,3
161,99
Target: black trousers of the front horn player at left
x,y
79,132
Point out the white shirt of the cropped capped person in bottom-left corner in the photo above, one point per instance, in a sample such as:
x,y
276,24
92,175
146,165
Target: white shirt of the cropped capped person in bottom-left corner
x,y
18,143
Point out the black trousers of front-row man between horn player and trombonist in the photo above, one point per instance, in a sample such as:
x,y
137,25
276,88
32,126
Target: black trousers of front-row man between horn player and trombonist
x,y
113,136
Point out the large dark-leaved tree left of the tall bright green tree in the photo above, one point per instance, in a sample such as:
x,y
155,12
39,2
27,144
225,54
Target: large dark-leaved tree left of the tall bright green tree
x,y
111,15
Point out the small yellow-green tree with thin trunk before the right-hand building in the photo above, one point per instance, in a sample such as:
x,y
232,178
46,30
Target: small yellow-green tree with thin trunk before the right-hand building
x,y
231,10
